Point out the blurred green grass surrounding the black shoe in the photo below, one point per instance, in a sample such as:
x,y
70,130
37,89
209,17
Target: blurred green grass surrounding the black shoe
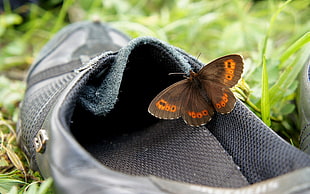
x,y
273,36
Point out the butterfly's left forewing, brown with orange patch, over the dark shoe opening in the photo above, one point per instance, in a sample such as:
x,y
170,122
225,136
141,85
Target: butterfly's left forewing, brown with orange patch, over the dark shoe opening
x,y
167,104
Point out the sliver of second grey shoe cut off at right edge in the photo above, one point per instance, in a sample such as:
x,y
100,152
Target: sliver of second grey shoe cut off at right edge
x,y
304,107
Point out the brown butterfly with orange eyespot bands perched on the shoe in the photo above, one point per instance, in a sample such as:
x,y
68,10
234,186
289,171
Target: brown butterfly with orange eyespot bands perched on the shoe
x,y
196,97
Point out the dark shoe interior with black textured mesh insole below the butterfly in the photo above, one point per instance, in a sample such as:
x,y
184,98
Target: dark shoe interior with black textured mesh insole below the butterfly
x,y
130,140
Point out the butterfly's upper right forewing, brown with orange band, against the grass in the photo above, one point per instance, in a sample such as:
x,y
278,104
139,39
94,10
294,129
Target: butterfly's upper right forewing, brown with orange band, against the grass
x,y
226,70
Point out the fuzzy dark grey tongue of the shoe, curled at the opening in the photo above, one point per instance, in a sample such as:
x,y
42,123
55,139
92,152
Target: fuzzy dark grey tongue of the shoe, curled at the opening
x,y
143,60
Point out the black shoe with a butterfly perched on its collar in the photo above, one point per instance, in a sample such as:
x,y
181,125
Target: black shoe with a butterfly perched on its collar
x,y
84,122
